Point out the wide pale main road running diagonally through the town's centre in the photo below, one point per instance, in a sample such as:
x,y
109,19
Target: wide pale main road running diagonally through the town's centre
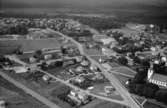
x,y
114,81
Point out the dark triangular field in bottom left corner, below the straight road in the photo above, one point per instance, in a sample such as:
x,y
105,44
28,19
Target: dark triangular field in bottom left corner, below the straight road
x,y
16,97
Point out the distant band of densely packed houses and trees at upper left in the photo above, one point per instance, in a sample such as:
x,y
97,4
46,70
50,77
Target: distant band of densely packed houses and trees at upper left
x,y
59,24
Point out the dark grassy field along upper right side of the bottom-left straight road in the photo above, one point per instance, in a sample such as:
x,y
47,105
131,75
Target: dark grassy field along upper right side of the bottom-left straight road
x,y
41,87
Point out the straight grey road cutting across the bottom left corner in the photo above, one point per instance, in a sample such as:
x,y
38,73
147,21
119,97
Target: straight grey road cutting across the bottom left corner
x,y
29,91
